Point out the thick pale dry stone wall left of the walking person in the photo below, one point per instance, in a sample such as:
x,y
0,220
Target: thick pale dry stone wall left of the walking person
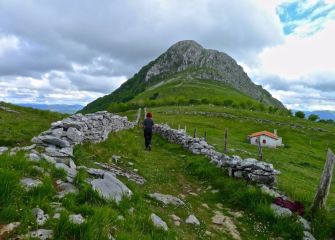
x,y
57,142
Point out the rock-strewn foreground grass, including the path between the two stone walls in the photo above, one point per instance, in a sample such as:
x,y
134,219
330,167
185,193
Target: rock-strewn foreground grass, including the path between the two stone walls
x,y
168,169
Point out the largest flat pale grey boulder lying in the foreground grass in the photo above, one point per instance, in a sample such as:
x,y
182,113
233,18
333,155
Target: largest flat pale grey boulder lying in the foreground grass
x,y
111,188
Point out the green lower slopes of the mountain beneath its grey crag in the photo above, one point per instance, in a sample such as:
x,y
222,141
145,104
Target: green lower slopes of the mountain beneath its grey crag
x,y
173,89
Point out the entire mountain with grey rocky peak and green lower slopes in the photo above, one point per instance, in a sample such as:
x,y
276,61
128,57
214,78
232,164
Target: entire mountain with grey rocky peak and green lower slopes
x,y
188,62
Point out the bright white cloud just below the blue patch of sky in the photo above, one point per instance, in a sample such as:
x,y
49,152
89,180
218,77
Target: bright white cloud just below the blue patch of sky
x,y
299,57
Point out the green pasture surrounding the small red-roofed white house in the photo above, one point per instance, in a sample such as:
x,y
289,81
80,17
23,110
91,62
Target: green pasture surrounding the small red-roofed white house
x,y
301,161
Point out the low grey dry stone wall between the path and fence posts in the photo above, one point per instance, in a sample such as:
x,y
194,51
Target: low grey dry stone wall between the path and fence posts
x,y
249,169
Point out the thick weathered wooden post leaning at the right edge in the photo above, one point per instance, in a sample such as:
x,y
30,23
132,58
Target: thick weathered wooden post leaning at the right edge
x,y
322,191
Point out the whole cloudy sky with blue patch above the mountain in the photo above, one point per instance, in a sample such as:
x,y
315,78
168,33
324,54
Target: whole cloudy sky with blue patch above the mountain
x,y
70,52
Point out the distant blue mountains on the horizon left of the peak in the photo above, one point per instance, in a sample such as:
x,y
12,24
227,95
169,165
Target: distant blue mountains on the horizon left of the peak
x,y
62,108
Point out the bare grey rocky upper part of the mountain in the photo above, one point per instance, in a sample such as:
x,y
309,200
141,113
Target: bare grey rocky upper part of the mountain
x,y
208,64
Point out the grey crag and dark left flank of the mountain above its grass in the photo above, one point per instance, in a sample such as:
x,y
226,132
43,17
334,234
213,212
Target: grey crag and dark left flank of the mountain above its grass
x,y
182,57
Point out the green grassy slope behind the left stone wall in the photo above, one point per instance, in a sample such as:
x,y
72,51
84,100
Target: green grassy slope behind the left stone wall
x,y
18,126
